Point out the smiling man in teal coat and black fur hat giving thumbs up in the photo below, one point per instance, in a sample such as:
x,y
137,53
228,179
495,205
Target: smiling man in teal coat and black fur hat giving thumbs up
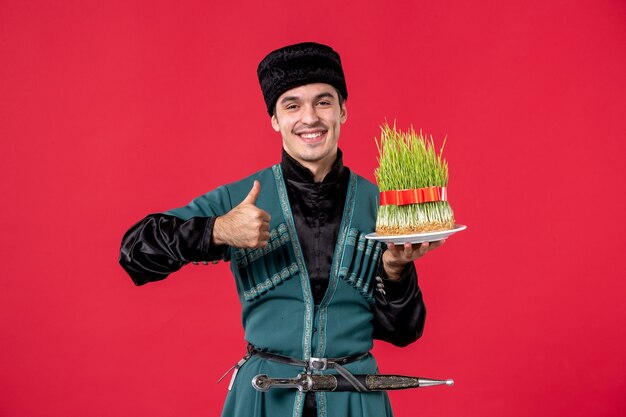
x,y
313,290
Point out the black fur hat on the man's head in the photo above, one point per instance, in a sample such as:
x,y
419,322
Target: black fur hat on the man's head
x,y
296,65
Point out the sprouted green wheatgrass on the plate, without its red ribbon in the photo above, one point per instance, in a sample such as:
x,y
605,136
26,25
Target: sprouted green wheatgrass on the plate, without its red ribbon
x,y
408,160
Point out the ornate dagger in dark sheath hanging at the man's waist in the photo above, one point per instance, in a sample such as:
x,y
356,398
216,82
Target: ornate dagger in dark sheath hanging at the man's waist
x,y
312,382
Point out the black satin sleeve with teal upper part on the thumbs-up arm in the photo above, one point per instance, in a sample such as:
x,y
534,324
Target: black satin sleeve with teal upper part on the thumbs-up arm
x,y
163,243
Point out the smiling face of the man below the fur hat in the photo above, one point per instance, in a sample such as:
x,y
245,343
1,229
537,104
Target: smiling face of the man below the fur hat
x,y
309,119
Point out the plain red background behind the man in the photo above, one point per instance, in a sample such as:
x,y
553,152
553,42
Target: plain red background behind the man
x,y
112,110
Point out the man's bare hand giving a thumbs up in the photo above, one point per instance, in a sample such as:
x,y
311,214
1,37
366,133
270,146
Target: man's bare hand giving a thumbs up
x,y
245,226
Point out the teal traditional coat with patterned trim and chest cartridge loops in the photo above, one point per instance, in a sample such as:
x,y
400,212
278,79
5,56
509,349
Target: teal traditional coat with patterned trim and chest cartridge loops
x,y
278,311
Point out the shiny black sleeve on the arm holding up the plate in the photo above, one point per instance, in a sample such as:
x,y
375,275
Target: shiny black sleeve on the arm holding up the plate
x,y
399,310
